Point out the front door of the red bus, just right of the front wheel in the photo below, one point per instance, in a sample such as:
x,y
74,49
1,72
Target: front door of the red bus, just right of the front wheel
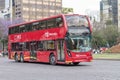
x,y
60,50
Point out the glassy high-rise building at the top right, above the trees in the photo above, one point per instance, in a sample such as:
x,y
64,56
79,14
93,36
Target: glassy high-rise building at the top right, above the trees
x,y
109,10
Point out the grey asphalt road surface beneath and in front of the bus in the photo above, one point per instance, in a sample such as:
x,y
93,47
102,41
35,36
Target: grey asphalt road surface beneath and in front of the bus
x,y
96,70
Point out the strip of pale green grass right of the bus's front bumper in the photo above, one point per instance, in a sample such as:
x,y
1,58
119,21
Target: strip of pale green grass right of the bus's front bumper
x,y
107,56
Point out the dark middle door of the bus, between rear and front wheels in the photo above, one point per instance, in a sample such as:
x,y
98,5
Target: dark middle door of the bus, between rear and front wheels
x,y
33,54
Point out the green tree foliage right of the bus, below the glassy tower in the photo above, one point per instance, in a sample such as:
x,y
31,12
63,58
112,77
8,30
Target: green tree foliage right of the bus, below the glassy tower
x,y
104,34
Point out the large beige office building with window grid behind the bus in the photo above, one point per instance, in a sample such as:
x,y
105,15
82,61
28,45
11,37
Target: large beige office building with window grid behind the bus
x,y
28,10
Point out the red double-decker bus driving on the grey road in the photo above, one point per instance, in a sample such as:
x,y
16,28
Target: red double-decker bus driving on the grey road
x,y
59,39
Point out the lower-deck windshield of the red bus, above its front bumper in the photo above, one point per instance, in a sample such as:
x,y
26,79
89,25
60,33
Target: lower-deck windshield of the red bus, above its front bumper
x,y
78,44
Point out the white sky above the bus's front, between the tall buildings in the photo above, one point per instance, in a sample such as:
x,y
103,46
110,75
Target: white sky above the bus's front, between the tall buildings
x,y
82,6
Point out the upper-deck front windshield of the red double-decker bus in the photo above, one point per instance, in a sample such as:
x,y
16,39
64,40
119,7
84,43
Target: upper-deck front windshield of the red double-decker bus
x,y
76,21
